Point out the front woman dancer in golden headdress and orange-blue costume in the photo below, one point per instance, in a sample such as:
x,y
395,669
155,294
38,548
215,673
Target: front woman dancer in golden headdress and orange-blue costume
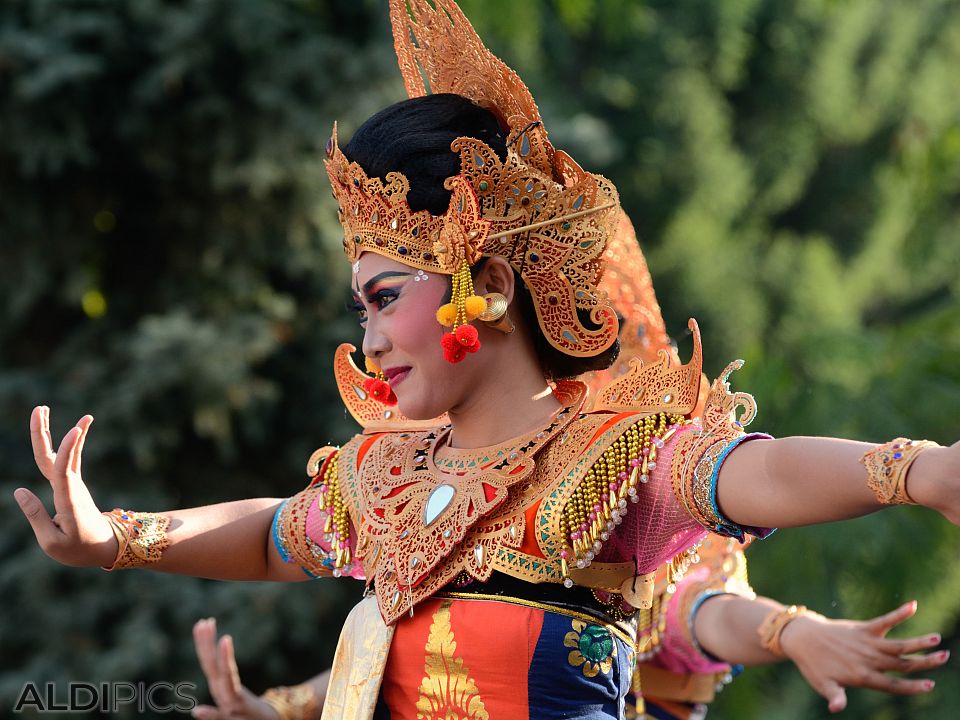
x,y
507,535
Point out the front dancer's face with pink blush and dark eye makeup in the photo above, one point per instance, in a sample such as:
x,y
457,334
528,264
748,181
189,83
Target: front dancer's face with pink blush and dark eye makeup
x,y
397,306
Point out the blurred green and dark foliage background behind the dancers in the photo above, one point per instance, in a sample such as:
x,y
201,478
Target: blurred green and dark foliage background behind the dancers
x,y
169,262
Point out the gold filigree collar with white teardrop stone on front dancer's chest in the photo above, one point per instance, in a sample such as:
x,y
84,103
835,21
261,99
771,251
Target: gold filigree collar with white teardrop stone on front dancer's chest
x,y
420,526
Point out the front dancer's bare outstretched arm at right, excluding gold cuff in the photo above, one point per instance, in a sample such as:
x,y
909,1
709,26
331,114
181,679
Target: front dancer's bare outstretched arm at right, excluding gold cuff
x,y
805,480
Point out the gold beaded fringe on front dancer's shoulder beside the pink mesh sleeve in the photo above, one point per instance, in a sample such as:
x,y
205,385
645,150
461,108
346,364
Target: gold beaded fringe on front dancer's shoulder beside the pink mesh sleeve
x,y
599,503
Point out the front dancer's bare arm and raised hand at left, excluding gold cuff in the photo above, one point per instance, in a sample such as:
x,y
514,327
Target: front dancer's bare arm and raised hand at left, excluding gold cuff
x,y
229,541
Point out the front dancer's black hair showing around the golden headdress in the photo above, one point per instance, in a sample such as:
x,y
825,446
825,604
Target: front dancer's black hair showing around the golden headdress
x,y
413,137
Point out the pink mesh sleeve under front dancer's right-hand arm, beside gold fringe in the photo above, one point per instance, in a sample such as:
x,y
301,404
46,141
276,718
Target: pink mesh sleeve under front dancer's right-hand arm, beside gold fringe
x,y
657,527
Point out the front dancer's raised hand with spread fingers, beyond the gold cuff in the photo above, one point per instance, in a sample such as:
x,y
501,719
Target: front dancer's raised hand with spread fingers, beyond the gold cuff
x,y
77,534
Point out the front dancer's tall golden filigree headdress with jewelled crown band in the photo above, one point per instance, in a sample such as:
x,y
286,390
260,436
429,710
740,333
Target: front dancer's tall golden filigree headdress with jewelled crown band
x,y
537,208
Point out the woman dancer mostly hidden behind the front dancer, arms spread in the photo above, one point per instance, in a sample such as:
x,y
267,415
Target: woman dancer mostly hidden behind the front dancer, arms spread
x,y
712,614
